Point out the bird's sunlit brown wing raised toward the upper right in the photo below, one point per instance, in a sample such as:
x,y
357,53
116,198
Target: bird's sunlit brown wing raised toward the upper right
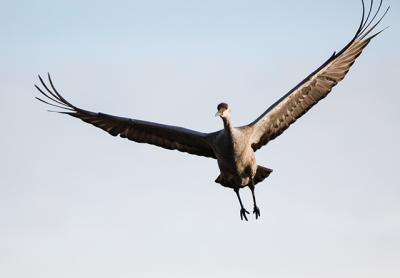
x,y
315,87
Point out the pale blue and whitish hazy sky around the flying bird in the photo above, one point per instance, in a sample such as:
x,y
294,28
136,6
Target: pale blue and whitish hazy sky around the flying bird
x,y
76,202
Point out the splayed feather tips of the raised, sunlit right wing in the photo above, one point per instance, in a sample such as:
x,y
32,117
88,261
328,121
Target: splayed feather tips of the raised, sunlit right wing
x,y
365,26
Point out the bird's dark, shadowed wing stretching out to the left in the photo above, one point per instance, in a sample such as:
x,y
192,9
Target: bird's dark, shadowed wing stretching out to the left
x,y
165,136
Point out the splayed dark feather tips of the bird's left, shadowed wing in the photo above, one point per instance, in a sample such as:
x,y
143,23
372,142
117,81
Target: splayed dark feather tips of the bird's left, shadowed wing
x,y
53,98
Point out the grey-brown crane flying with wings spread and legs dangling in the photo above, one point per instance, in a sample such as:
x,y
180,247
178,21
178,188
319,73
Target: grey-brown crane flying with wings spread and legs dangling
x,y
234,147
